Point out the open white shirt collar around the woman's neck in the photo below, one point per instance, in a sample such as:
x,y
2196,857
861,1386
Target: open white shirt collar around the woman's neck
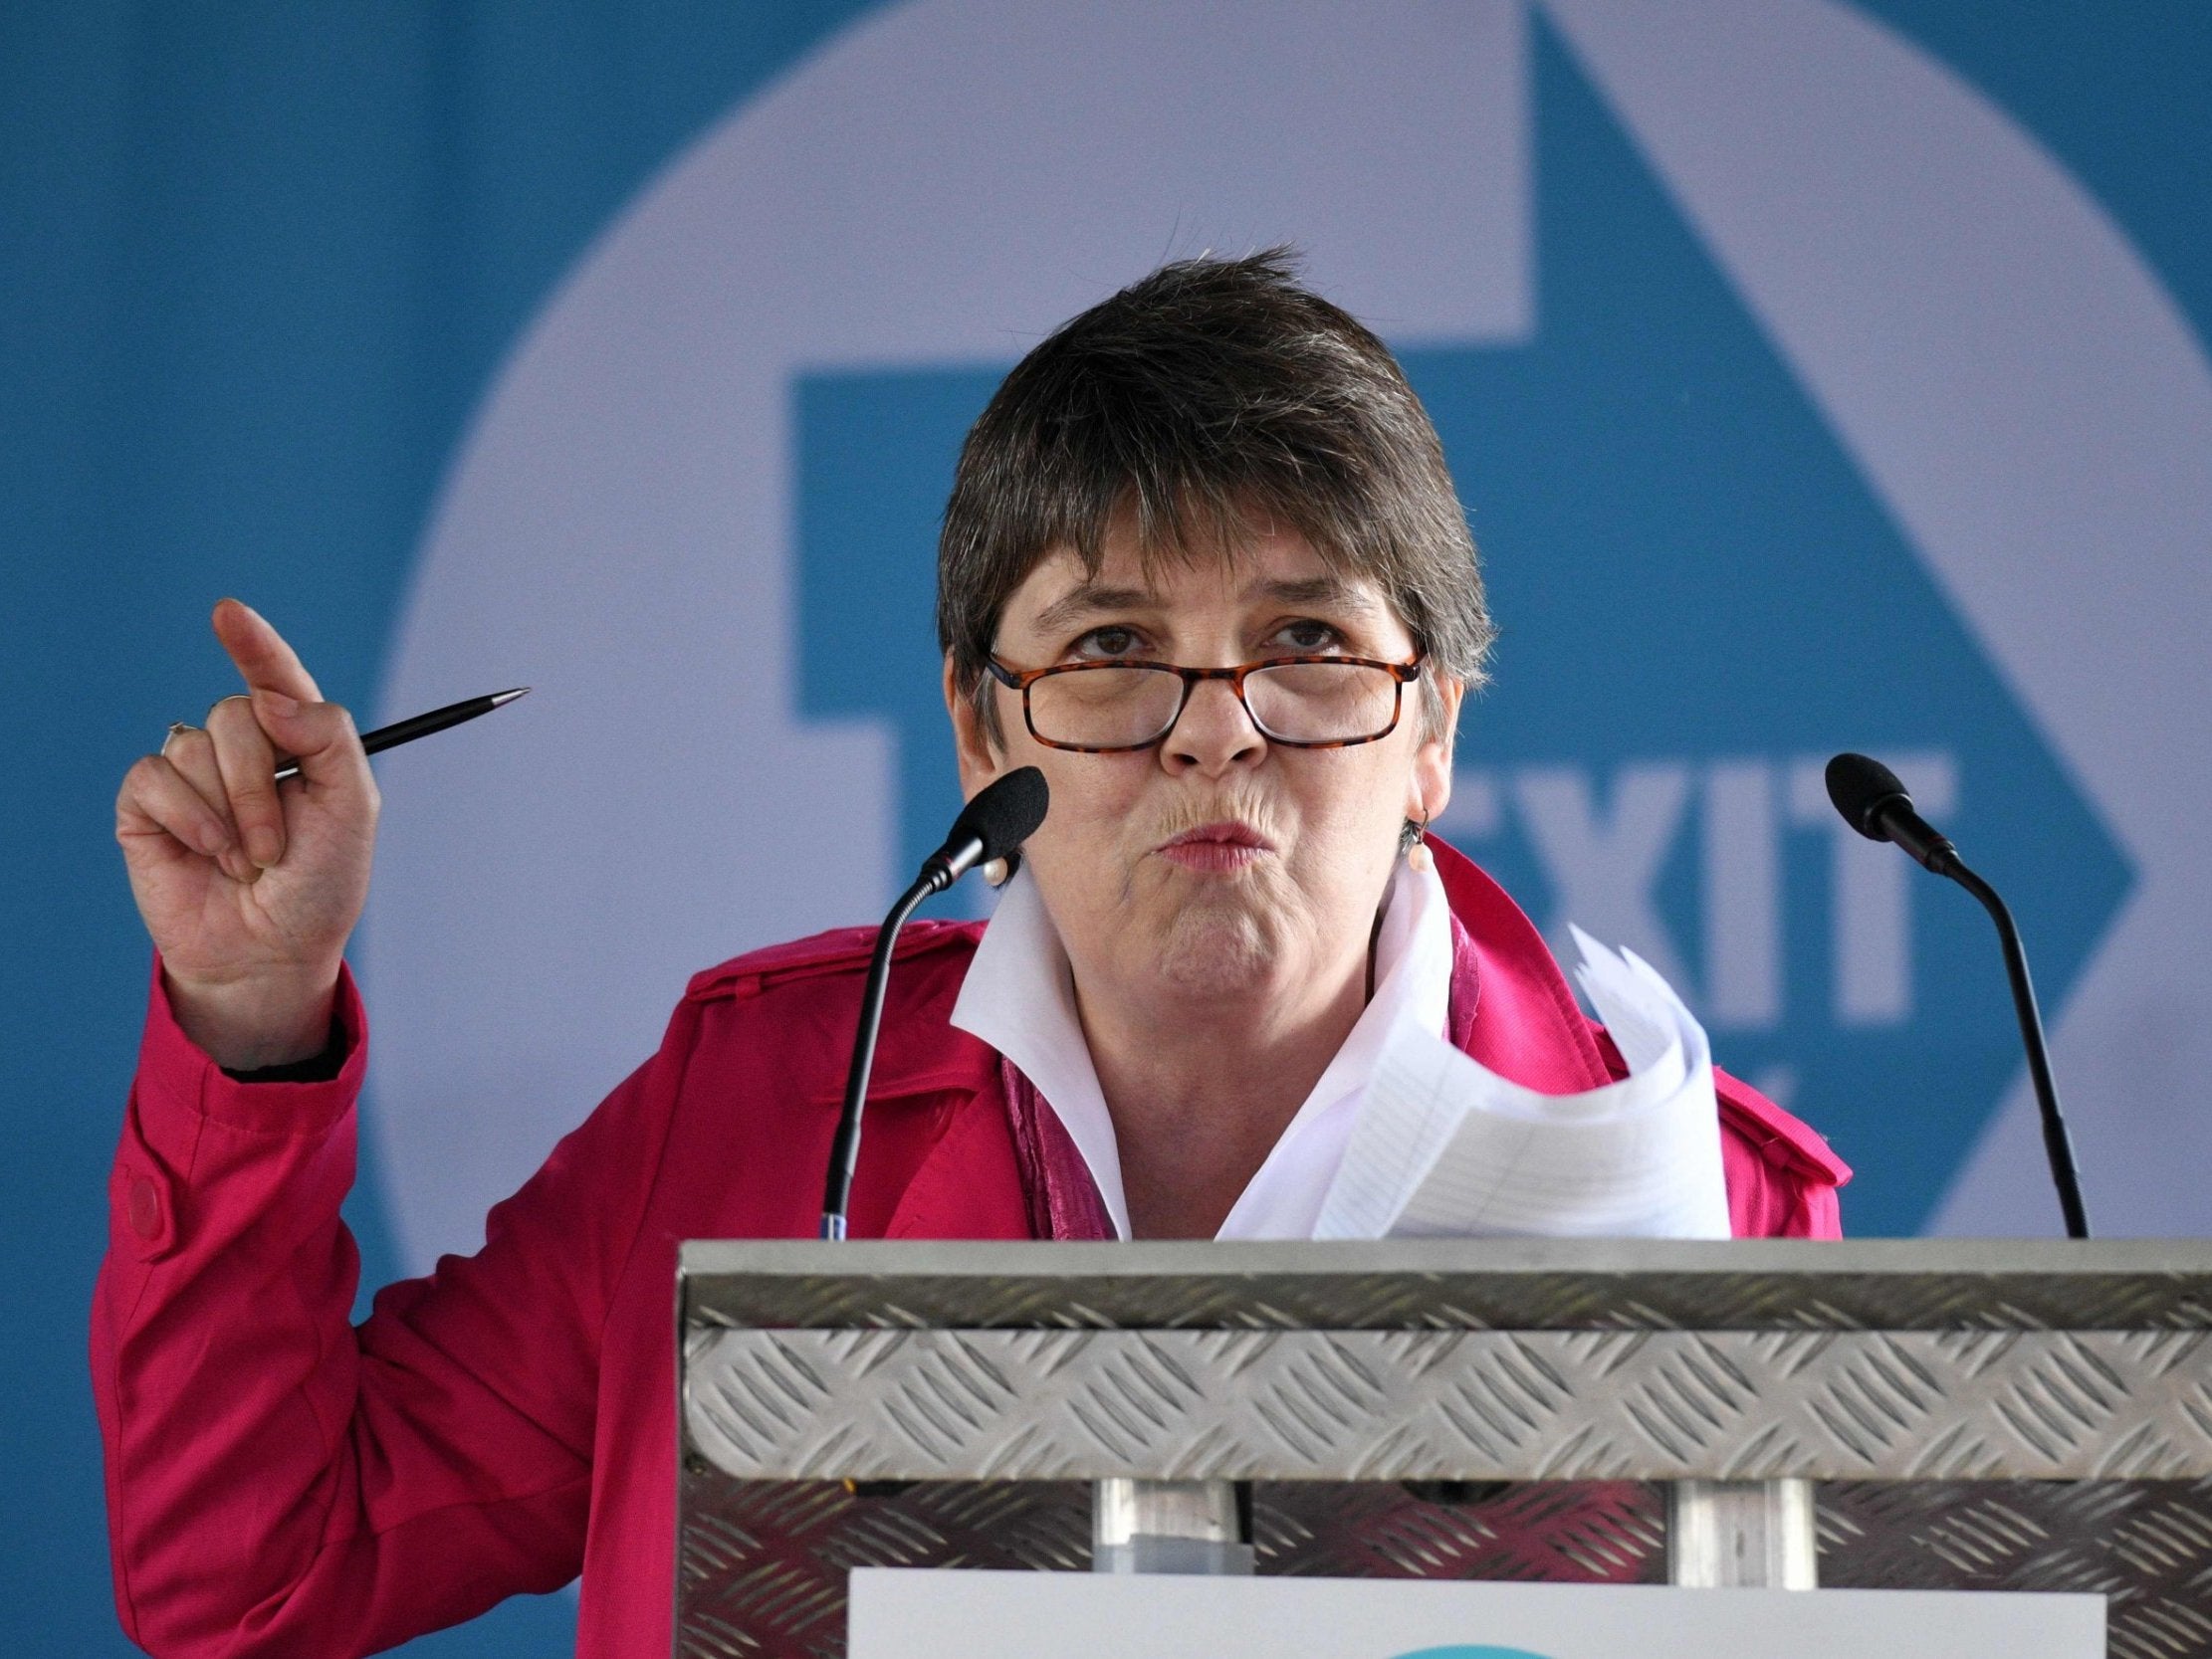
x,y
1021,999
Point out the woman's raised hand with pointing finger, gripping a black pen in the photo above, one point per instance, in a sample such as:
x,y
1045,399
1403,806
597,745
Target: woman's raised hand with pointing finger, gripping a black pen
x,y
247,886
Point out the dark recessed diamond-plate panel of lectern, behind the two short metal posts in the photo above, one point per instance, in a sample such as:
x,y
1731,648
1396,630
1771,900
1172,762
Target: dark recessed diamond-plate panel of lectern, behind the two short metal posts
x,y
764,1567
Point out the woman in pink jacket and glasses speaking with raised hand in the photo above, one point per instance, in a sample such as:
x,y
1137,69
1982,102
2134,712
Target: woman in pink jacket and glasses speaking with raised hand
x,y
1207,570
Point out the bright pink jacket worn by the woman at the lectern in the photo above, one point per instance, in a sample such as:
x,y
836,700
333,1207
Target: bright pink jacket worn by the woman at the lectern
x,y
282,1483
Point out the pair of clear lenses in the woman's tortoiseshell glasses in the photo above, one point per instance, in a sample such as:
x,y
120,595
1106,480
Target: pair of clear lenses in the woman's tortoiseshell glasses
x,y
1322,702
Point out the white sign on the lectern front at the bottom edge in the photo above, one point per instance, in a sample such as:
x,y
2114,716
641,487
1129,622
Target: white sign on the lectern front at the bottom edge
x,y
1109,1616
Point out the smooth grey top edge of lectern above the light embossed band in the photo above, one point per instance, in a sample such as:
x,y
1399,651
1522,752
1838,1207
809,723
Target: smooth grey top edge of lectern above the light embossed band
x,y
1459,1284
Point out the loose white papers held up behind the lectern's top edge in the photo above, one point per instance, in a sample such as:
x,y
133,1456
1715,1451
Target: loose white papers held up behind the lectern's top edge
x,y
1446,1147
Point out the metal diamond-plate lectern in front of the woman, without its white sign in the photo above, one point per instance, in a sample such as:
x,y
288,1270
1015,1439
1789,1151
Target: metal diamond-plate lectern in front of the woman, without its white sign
x,y
1877,1415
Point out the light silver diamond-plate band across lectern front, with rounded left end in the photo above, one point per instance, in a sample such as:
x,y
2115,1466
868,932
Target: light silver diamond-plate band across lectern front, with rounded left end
x,y
1465,1406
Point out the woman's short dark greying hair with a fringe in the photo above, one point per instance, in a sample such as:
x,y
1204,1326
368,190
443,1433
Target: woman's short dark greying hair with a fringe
x,y
1200,401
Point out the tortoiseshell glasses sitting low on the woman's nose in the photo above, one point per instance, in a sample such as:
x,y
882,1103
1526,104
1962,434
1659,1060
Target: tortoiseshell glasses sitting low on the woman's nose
x,y
1302,702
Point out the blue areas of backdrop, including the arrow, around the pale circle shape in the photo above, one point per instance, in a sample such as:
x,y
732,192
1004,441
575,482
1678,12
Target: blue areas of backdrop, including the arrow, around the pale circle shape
x,y
260,267
